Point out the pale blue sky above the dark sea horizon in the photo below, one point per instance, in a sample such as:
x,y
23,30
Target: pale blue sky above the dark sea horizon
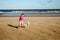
x,y
29,4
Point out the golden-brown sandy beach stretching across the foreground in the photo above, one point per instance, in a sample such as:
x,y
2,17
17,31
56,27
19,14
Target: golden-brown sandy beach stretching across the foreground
x,y
41,28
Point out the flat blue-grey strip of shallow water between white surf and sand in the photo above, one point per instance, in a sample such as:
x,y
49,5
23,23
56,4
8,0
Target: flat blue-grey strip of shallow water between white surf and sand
x,y
31,14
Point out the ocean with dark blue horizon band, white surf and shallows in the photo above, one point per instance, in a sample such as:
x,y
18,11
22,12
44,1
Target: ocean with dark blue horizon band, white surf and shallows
x,y
18,12
